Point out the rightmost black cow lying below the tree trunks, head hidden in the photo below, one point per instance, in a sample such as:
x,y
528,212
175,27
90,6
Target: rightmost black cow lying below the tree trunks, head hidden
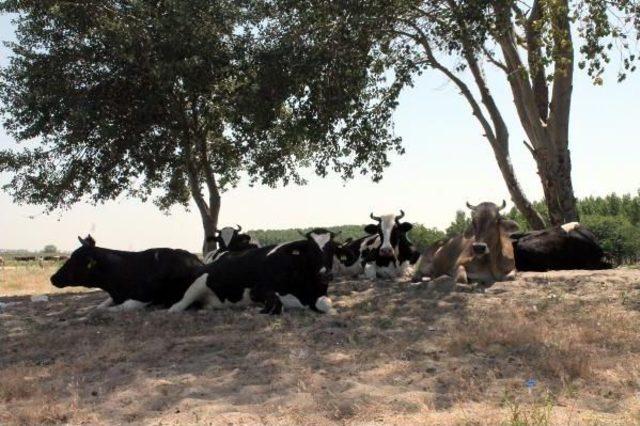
x,y
569,246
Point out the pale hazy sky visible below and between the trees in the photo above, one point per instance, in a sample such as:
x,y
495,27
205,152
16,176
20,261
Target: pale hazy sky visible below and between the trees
x,y
447,162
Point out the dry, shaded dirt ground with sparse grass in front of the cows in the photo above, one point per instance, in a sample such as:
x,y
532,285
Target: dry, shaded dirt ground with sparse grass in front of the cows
x,y
549,348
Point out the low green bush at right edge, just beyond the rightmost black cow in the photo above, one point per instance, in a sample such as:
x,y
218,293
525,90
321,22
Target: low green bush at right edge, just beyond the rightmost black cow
x,y
617,236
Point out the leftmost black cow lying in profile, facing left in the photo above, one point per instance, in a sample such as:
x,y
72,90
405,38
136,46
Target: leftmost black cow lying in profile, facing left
x,y
133,280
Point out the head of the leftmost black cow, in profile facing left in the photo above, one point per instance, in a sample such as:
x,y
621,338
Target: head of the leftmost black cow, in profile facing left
x,y
81,268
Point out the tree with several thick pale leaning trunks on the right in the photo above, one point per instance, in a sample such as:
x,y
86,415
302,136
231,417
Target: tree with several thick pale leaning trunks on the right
x,y
530,42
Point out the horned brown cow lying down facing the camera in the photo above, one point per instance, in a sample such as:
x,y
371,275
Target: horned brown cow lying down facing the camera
x,y
483,253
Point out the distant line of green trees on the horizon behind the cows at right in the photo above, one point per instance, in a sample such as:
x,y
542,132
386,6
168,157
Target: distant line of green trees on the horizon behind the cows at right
x,y
614,219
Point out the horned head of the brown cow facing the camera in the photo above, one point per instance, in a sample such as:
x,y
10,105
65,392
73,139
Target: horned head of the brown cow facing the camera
x,y
488,227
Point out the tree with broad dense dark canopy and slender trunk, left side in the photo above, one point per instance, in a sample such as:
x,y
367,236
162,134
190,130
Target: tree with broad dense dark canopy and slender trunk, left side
x,y
165,99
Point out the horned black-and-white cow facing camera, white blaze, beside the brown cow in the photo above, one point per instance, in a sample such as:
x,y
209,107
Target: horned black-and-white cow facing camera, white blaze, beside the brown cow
x,y
386,252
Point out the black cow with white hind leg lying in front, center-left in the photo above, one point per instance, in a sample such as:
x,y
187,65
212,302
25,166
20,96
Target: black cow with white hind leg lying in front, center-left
x,y
294,275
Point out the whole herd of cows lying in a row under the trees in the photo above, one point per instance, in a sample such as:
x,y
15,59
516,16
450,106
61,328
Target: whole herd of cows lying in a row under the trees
x,y
298,273
